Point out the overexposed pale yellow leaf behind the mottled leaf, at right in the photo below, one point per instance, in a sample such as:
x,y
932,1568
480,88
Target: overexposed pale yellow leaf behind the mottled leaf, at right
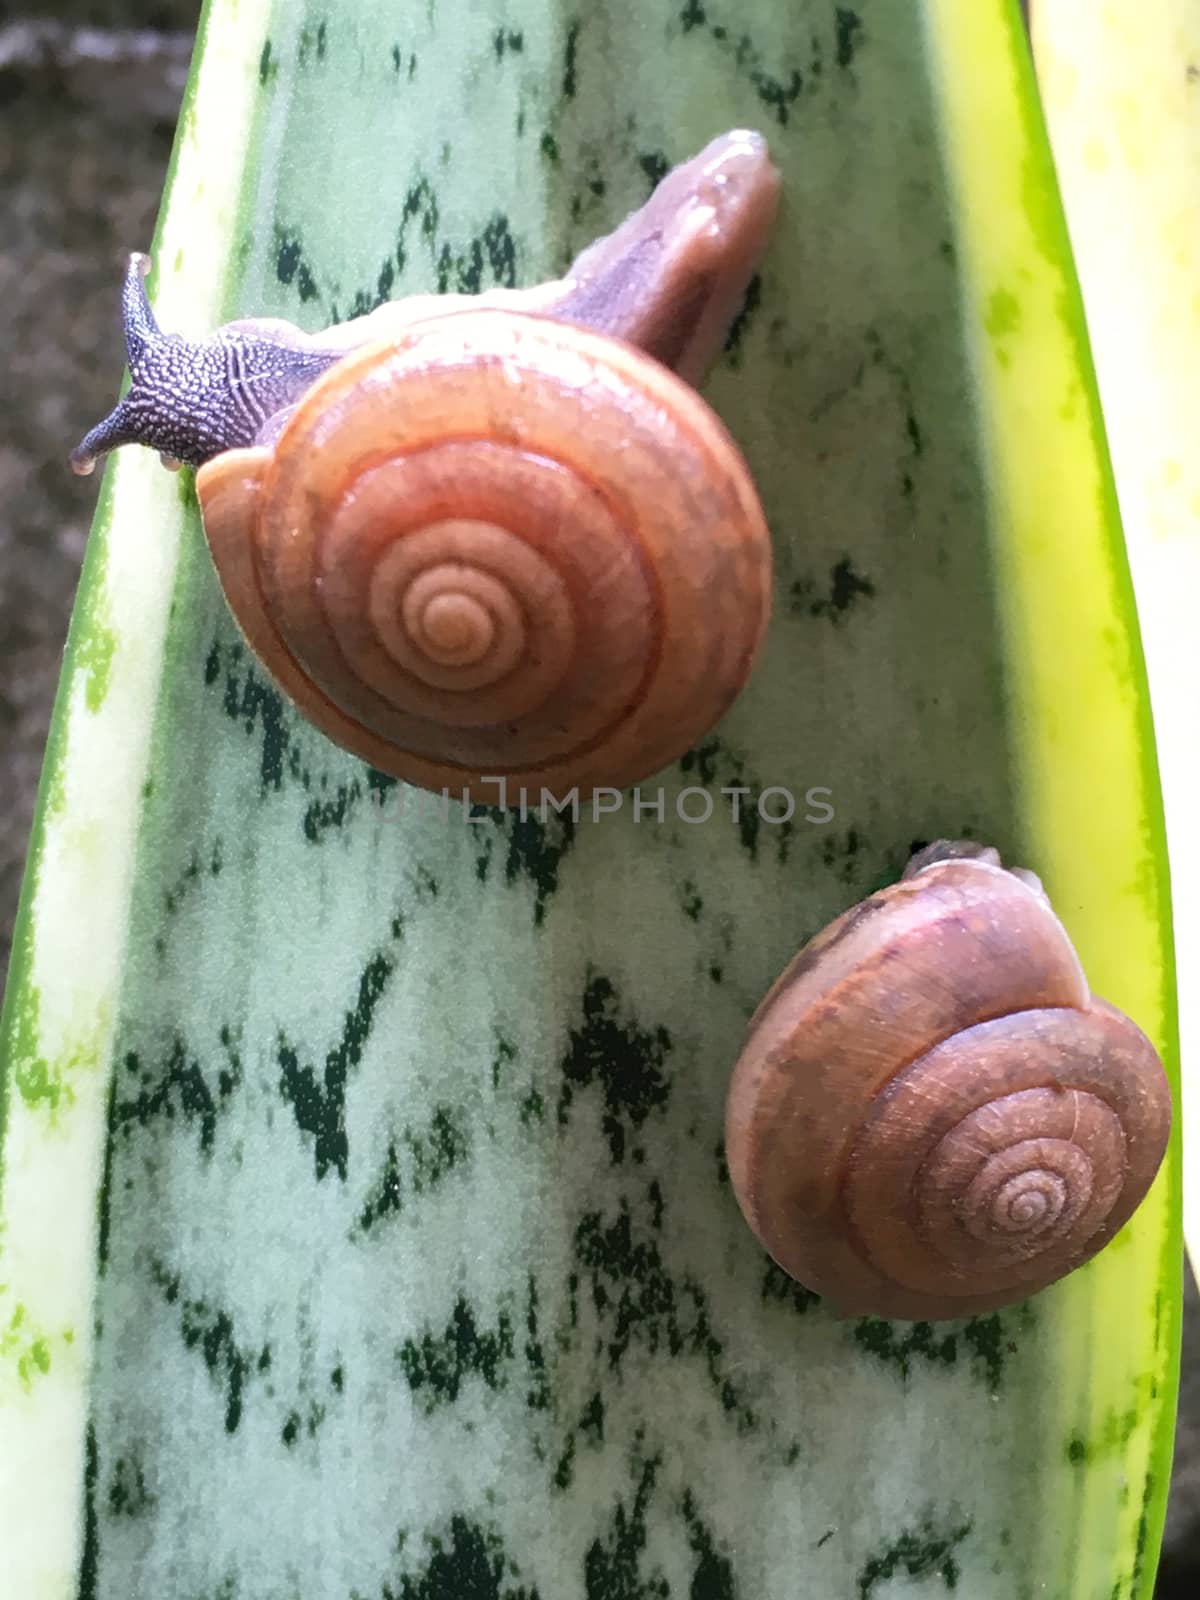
x,y
1122,105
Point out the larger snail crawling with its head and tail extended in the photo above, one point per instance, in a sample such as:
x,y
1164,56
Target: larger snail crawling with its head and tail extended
x,y
500,537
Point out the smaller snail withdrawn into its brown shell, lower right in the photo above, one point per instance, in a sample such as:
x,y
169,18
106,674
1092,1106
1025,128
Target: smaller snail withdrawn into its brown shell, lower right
x,y
932,1114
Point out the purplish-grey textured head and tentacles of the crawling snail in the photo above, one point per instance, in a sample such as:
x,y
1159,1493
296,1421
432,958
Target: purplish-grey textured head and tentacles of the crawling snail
x,y
193,401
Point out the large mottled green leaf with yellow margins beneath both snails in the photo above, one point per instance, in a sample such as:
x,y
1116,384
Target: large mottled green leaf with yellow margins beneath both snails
x,y
366,1226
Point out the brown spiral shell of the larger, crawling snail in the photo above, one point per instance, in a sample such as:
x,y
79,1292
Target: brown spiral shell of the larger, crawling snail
x,y
498,546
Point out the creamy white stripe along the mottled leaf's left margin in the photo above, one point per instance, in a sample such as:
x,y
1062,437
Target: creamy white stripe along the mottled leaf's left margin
x,y
68,964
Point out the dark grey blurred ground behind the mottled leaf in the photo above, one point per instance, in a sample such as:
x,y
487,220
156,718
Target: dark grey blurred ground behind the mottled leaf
x,y
89,98
